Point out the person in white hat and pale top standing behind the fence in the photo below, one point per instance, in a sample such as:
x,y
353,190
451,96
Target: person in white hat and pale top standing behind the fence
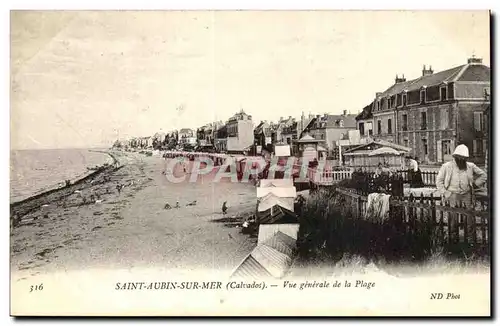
x,y
456,181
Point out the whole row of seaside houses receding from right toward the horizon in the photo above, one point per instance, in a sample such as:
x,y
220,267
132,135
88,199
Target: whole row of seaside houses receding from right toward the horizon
x,y
430,115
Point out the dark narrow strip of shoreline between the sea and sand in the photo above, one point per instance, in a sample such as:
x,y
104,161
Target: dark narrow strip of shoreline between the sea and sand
x,y
25,206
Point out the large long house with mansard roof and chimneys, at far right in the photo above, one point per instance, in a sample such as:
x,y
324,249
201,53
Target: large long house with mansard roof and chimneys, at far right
x,y
433,113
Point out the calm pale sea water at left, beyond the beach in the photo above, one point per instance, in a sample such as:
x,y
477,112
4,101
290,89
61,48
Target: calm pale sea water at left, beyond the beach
x,y
34,171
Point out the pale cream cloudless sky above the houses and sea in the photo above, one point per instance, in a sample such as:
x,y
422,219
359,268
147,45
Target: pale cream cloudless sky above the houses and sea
x,y
84,79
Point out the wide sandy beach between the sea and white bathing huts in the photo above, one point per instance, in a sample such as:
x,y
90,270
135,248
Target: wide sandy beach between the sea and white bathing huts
x,y
131,229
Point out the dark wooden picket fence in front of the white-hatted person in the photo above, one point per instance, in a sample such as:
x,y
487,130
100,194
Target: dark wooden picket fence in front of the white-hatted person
x,y
450,227
